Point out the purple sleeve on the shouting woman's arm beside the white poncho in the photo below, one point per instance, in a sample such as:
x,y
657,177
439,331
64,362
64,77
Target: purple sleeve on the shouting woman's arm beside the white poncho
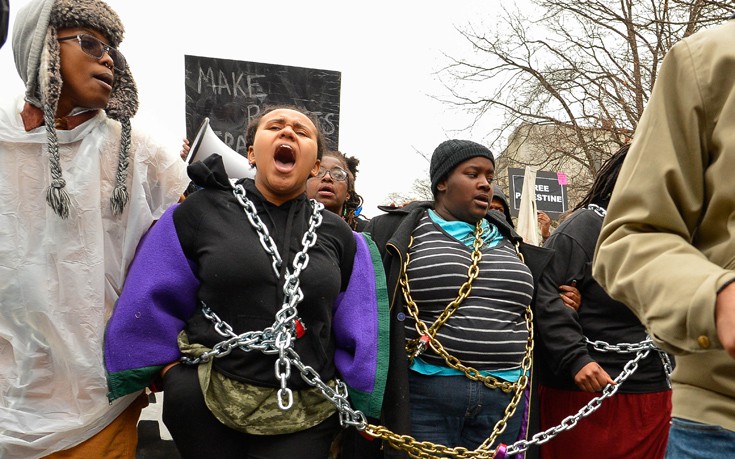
x,y
159,295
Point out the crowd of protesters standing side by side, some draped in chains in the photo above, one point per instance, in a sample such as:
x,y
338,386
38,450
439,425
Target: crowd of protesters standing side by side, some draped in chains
x,y
281,323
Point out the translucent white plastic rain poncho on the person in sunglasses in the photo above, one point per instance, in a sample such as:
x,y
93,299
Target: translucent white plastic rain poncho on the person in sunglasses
x,y
59,279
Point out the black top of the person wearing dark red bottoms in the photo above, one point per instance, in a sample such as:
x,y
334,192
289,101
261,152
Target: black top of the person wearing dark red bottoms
x,y
562,330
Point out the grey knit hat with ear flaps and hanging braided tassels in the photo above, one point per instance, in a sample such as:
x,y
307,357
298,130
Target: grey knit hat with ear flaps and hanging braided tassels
x,y
37,58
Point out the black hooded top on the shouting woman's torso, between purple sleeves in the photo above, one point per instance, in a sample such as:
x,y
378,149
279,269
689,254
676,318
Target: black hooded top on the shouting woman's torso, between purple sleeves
x,y
237,280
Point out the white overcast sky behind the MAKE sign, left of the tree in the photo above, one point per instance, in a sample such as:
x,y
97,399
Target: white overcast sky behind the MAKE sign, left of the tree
x,y
387,53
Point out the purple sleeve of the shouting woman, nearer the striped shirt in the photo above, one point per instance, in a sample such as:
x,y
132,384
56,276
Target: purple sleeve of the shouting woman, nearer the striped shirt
x,y
355,326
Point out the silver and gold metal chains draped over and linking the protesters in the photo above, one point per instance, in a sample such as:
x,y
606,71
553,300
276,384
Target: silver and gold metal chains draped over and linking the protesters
x,y
279,339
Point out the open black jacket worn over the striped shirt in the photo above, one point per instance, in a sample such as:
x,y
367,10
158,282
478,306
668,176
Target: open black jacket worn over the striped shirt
x,y
392,232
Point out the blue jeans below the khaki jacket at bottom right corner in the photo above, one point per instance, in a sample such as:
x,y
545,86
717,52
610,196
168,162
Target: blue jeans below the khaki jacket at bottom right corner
x,y
689,439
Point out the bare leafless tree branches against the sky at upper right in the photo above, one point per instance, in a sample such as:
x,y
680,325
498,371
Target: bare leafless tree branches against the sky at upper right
x,y
572,78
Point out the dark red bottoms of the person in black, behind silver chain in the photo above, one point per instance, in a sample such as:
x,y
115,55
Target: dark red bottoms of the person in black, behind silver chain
x,y
624,426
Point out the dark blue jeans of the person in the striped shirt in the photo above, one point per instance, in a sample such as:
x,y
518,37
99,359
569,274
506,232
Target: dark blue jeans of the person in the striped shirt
x,y
455,411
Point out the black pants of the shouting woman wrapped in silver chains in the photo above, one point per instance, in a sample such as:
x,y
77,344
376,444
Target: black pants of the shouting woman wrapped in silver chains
x,y
198,434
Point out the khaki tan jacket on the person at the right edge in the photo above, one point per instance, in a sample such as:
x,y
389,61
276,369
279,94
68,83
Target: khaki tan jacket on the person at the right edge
x,y
668,242
